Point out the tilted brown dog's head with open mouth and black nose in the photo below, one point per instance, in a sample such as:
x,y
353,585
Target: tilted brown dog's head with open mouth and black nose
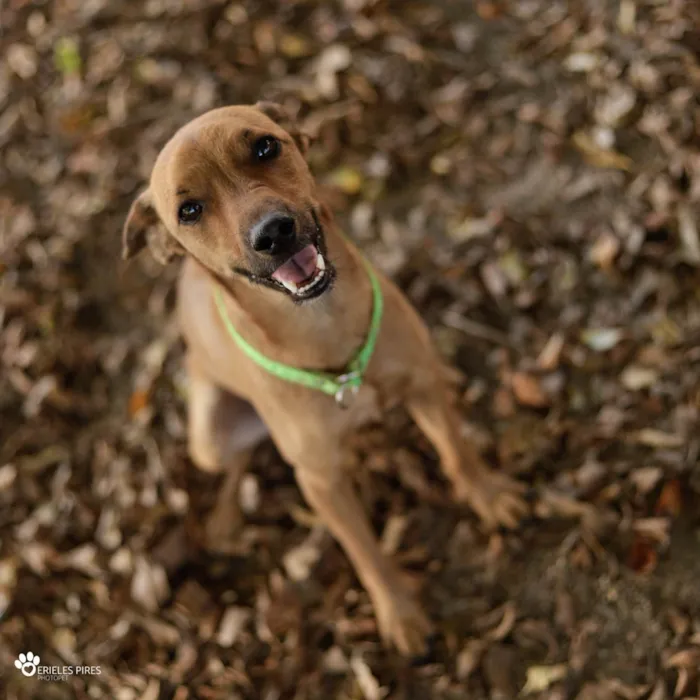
x,y
233,190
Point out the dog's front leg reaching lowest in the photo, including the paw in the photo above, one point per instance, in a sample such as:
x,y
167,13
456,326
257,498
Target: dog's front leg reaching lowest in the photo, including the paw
x,y
400,619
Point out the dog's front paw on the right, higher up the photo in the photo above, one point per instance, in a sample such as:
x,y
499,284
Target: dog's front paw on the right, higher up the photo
x,y
495,498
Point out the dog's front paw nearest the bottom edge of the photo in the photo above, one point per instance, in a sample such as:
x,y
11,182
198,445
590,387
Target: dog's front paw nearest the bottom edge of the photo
x,y
403,624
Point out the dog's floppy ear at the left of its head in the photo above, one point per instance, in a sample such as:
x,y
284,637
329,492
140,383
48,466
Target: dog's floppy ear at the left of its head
x,y
143,227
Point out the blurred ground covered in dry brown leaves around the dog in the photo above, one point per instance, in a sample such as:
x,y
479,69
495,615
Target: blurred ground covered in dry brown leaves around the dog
x,y
529,173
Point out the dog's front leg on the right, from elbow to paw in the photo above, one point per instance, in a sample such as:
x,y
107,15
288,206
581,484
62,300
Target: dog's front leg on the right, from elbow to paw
x,y
495,497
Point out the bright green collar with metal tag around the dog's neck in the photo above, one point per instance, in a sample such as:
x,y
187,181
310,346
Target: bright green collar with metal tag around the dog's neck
x,y
334,385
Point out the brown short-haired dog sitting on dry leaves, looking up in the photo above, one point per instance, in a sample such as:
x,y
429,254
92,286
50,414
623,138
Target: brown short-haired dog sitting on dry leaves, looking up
x,y
232,191
